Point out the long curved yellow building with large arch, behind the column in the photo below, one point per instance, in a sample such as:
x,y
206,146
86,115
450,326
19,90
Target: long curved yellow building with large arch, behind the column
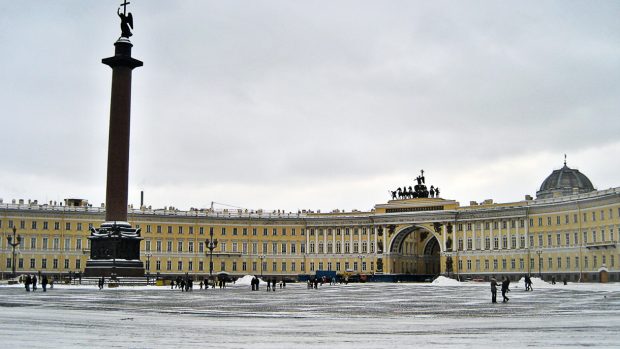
x,y
570,231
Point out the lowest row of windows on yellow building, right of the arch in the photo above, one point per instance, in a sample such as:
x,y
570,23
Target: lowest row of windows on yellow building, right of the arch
x,y
541,265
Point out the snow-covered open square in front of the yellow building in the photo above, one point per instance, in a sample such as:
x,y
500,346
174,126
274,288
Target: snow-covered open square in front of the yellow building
x,y
375,315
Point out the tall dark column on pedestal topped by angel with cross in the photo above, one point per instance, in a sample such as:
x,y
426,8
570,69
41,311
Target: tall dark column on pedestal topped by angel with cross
x,y
115,246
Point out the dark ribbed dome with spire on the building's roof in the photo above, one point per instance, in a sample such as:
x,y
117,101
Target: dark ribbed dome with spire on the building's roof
x,y
564,181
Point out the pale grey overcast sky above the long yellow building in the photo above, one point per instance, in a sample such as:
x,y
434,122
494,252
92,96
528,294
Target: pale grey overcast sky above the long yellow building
x,y
311,104
